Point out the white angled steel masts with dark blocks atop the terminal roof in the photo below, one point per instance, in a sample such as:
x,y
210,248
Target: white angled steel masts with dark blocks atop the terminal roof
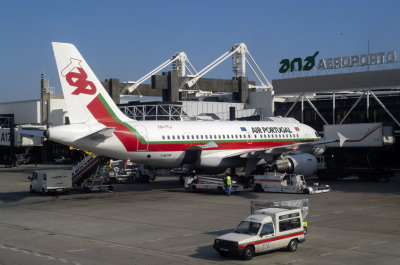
x,y
184,81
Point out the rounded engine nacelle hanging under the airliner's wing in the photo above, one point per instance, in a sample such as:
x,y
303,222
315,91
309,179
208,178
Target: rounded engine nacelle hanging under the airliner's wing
x,y
301,164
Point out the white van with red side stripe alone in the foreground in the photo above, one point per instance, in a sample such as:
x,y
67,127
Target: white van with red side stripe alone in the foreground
x,y
264,230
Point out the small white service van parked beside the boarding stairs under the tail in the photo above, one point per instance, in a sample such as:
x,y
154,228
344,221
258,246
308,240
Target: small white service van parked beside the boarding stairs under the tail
x,y
55,180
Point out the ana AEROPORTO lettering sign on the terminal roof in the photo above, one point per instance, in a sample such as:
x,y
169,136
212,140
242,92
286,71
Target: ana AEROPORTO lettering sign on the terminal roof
x,y
339,62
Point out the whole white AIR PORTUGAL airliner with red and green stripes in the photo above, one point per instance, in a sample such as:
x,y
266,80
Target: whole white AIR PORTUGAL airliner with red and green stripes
x,y
97,125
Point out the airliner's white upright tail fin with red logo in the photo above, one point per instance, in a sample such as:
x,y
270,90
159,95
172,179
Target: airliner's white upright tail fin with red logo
x,y
86,99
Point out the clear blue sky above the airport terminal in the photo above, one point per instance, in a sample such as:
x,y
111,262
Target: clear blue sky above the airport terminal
x,y
126,39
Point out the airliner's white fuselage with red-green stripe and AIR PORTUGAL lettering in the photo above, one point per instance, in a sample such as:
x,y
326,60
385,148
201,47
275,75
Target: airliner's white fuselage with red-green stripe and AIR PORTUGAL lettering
x,y
165,143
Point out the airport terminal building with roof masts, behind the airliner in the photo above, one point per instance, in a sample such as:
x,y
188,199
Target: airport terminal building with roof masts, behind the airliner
x,y
343,90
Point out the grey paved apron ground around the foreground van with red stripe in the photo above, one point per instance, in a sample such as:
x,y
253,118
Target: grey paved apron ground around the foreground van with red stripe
x,y
160,223
